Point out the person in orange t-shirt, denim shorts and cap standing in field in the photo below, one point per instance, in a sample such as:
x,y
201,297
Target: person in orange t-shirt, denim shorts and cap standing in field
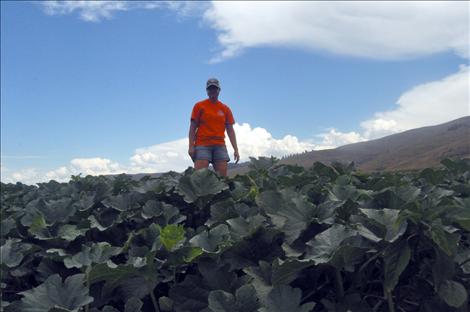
x,y
209,119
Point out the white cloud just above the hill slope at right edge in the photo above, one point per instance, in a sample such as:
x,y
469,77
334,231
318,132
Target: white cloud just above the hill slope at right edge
x,y
424,105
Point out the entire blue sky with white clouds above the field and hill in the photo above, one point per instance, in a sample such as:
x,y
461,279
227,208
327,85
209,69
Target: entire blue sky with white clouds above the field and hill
x,y
108,87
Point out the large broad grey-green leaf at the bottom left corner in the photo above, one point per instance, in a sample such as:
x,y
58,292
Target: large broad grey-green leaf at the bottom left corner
x,y
71,294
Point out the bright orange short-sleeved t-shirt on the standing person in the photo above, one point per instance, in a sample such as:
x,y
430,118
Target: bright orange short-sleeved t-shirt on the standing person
x,y
211,120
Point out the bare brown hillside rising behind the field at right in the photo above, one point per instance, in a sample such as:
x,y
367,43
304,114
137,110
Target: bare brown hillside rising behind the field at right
x,y
413,149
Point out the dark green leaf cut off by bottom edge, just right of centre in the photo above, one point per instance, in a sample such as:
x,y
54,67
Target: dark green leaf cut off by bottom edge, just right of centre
x,y
285,298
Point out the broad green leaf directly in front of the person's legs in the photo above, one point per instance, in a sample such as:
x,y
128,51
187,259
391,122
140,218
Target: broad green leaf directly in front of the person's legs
x,y
202,182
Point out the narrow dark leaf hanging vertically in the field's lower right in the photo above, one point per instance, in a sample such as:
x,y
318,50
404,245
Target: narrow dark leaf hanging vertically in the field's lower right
x,y
396,259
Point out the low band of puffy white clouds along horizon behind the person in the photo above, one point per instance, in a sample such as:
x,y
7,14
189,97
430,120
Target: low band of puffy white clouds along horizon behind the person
x,y
173,155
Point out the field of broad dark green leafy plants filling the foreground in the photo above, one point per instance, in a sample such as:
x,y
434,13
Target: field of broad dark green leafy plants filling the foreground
x,y
280,238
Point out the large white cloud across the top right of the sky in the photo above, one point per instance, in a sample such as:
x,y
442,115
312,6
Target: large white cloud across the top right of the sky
x,y
381,30
